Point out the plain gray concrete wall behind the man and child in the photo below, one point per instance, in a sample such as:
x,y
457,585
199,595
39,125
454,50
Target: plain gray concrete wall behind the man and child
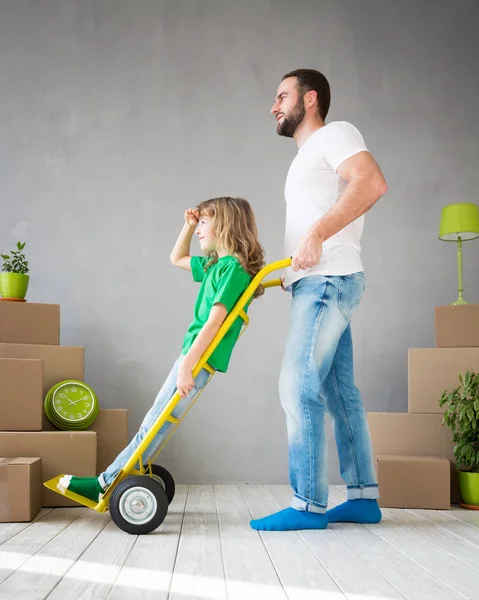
x,y
115,116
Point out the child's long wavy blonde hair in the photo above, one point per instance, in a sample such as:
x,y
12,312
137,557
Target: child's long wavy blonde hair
x,y
235,229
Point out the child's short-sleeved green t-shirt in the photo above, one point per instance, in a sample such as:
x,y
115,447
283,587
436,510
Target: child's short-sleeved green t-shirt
x,y
223,282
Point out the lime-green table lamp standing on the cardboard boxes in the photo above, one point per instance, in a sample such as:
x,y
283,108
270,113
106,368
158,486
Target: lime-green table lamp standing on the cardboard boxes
x,y
459,223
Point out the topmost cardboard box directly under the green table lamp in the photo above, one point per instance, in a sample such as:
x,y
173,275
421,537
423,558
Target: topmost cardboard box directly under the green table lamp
x,y
457,326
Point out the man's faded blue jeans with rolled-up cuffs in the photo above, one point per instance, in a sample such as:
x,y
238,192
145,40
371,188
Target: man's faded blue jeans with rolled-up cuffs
x,y
318,376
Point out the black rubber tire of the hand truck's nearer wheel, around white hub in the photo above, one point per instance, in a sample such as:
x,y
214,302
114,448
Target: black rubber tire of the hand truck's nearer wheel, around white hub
x,y
150,486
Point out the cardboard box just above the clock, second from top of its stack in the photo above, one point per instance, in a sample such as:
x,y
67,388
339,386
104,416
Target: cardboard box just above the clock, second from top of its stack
x,y
59,362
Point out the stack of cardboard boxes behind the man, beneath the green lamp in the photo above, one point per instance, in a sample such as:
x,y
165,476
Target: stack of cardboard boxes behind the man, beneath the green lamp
x,y
413,451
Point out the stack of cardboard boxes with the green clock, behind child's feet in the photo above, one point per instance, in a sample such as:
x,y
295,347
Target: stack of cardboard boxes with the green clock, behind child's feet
x,y
32,450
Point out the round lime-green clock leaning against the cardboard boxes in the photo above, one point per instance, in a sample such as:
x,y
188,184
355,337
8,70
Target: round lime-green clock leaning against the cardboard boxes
x,y
71,405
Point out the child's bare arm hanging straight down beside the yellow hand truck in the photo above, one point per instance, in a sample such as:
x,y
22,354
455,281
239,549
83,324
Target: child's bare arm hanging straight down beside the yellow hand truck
x,y
185,381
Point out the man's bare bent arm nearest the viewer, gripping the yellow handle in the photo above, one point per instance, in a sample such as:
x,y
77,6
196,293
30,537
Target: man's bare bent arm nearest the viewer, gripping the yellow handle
x,y
366,184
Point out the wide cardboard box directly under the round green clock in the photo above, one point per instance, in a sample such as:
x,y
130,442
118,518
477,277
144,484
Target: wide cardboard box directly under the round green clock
x,y
72,453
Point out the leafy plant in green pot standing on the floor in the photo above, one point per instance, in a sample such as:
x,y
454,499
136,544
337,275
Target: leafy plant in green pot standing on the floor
x,y
461,415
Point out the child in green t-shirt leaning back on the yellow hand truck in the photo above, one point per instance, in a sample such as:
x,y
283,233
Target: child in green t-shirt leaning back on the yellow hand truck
x,y
227,233
